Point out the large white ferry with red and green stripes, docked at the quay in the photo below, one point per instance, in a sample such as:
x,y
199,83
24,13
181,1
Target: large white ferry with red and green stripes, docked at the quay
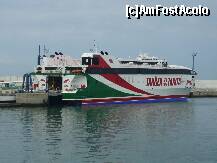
x,y
100,78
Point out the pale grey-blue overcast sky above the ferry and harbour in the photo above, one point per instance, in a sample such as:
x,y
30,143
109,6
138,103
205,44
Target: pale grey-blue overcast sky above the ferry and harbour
x,y
71,26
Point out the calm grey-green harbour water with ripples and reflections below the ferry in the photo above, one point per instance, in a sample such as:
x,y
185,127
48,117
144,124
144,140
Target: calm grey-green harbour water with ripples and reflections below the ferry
x,y
164,132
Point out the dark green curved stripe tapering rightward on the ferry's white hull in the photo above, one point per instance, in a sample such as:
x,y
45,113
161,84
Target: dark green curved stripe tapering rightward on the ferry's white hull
x,y
95,89
